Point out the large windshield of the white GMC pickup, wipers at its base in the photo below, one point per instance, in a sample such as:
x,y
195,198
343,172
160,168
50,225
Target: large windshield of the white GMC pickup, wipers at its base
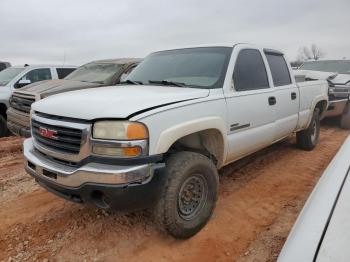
x,y
192,67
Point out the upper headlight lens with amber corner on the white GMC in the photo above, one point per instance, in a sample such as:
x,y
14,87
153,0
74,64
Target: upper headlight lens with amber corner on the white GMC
x,y
119,130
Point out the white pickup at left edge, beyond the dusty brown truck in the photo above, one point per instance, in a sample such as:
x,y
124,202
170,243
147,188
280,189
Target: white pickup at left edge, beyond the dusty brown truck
x,y
16,77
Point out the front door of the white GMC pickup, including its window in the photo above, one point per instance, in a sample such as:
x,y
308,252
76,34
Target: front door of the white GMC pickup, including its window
x,y
251,105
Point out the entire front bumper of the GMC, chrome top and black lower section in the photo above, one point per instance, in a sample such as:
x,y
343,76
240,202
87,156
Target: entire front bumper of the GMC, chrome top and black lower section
x,y
105,186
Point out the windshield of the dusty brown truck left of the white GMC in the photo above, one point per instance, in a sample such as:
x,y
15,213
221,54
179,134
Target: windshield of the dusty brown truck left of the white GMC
x,y
99,73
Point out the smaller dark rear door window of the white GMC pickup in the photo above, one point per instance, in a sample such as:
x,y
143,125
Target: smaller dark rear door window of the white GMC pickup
x,y
279,69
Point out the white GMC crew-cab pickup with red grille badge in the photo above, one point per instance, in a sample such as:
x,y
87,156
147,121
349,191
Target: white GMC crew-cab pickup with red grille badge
x,y
159,139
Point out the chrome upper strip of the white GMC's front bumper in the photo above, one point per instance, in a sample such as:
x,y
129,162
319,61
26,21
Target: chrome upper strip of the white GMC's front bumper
x,y
89,173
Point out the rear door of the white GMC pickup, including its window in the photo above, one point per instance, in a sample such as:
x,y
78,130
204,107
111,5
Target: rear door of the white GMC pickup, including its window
x,y
286,93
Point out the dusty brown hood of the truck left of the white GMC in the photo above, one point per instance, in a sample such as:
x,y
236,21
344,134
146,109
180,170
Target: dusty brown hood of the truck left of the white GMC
x,y
52,87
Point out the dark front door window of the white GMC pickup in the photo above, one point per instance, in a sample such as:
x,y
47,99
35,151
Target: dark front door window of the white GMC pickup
x,y
250,72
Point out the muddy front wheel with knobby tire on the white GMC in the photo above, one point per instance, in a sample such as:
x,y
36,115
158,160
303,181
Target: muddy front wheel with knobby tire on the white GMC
x,y
189,195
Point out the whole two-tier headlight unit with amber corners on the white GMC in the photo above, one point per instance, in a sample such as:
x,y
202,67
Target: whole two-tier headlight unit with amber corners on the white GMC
x,y
120,139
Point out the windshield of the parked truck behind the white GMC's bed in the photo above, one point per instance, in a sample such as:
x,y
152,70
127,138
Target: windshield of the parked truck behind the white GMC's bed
x,y
336,66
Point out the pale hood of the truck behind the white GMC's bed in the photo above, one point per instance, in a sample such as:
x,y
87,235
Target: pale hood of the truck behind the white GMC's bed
x,y
333,77
